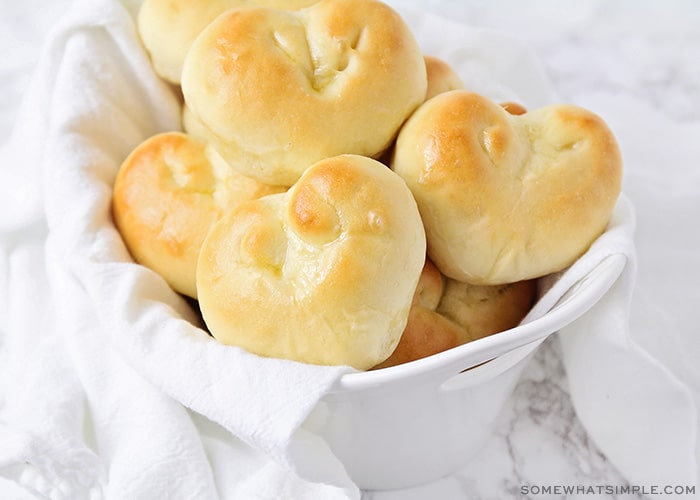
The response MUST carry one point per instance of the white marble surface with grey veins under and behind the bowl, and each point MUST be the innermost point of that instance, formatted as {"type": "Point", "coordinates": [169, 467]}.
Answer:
{"type": "Point", "coordinates": [598, 54]}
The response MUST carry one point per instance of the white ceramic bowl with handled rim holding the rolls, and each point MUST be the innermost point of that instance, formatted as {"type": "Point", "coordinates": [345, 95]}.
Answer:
{"type": "Point", "coordinates": [414, 423]}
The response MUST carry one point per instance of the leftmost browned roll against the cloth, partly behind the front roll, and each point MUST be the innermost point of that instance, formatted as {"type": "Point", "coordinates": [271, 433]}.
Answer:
{"type": "Point", "coordinates": [167, 194]}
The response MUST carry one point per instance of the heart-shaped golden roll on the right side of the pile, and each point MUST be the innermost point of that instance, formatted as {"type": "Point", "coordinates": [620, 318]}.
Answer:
{"type": "Point", "coordinates": [506, 197]}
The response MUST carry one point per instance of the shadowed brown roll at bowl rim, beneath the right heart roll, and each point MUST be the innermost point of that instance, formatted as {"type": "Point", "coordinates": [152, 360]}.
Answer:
{"type": "Point", "coordinates": [446, 313]}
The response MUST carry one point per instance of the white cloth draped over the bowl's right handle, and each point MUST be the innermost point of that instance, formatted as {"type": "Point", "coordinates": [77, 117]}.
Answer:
{"type": "Point", "coordinates": [637, 412]}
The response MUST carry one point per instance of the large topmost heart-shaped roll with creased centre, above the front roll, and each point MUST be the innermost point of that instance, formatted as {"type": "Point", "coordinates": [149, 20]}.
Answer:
{"type": "Point", "coordinates": [279, 90]}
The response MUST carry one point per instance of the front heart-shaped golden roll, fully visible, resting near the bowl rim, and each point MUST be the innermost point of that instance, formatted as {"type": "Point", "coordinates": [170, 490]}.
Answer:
{"type": "Point", "coordinates": [323, 274]}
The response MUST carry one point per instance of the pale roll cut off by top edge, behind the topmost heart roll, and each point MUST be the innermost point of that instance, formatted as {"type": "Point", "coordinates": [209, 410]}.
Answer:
{"type": "Point", "coordinates": [168, 27]}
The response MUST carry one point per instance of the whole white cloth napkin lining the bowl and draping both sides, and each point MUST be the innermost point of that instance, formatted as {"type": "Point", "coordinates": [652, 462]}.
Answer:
{"type": "Point", "coordinates": [108, 388]}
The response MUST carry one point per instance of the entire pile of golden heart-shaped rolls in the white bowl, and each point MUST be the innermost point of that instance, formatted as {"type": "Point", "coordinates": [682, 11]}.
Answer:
{"type": "Point", "coordinates": [336, 197]}
